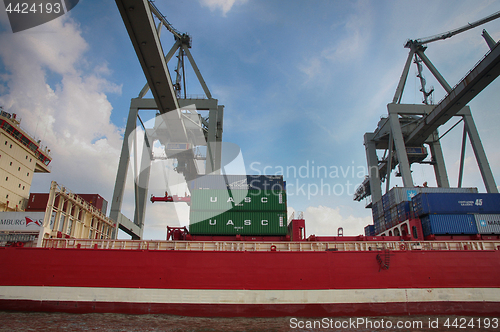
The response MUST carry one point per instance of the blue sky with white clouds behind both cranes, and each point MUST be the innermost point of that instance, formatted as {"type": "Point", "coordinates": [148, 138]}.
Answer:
{"type": "Point", "coordinates": [301, 82]}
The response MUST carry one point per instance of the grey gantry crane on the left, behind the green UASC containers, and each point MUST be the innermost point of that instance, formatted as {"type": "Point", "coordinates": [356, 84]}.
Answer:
{"type": "Point", "coordinates": [177, 126]}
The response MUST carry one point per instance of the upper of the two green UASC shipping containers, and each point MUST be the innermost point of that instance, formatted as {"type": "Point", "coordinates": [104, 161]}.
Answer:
{"type": "Point", "coordinates": [238, 200]}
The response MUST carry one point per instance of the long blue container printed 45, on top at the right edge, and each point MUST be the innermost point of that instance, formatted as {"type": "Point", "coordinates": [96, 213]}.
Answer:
{"type": "Point", "coordinates": [454, 203]}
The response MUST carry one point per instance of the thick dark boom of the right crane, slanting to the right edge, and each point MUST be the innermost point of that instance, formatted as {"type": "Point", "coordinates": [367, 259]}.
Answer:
{"type": "Point", "coordinates": [478, 78]}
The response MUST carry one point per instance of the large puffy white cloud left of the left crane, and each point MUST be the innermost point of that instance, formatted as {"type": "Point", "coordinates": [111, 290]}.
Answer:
{"type": "Point", "coordinates": [63, 103]}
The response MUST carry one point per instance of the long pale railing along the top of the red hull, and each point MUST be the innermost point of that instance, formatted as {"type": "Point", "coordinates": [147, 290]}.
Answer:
{"type": "Point", "coordinates": [270, 246]}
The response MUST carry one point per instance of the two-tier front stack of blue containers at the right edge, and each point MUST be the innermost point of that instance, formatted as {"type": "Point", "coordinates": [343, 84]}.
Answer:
{"type": "Point", "coordinates": [458, 213]}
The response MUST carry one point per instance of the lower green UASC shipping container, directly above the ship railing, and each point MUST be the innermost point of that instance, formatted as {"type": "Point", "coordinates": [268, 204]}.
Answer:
{"type": "Point", "coordinates": [232, 223]}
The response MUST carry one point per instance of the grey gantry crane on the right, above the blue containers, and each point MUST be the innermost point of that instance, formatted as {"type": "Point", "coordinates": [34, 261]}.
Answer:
{"type": "Point", "coordinates": [403, 133]}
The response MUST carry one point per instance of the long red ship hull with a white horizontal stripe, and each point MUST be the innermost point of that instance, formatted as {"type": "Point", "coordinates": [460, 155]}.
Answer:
{"type": "Point", "coordinates": [250, 283]}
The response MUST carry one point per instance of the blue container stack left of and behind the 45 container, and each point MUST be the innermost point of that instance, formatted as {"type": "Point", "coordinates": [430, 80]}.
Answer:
{"type": "Point", "coordinates": [395, 206]}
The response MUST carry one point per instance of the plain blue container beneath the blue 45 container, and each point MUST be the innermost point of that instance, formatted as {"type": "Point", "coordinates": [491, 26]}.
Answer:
{"type": "Point", "coordinates": [453, 224]}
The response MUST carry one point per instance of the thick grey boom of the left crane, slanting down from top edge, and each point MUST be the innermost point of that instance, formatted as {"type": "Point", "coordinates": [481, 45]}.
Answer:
{"type": "Point", "coordinates": [142, 31]}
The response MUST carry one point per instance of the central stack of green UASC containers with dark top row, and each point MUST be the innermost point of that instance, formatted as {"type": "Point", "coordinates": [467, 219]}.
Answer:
{"type": "Point", "coordinates": [238, 204]}
